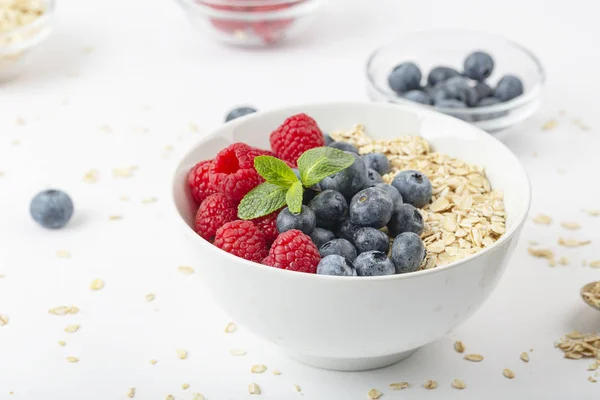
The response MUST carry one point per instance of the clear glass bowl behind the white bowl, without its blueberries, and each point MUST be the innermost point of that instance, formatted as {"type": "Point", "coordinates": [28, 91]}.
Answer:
{"type": "Point", "coordinates": [429, 49]}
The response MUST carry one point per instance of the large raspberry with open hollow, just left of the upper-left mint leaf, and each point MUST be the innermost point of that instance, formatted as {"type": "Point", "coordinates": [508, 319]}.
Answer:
{"type": "Point", "coordinates": [233, 170]}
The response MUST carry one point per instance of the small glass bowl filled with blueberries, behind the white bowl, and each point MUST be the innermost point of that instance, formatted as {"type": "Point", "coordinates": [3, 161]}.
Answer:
{"type": "Point", "coordinates": [481, 78]}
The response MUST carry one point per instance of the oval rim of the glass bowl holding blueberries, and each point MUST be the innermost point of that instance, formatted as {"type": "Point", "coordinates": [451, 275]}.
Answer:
{"type": "Point", "coordinates": [518, 101]}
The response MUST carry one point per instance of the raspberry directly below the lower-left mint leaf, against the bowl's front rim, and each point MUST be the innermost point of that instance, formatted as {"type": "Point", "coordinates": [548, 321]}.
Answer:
{"type": "Point", "coordinates": [242, 239]}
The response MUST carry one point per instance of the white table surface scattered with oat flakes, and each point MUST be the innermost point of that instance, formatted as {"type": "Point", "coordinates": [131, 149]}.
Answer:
{"type": "Point", "coordinates": [148, 76]}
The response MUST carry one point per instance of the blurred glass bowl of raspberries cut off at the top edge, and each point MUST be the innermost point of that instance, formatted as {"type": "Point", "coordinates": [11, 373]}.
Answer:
{"type": "Point", "coordinates": [251, 23]}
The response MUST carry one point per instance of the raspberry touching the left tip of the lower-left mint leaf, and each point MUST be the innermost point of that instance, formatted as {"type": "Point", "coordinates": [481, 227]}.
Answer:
{"type": "Point", "coordinates": [214, 211]}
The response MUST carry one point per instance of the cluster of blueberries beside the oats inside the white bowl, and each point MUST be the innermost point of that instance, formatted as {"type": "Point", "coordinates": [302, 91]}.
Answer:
{"type": "Point", "coordinates": [354, 215]}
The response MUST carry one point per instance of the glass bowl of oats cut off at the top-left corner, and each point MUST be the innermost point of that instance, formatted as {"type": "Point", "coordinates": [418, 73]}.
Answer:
{"type": "Point", "coordinates": [24, 25]}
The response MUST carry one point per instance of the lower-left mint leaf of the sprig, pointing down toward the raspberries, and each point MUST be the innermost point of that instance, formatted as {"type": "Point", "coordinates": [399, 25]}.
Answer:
{"type": "Point", "coordinates": [262, 200]}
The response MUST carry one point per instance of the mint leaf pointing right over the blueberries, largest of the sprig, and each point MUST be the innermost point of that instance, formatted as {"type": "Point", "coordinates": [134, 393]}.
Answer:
{"type": "Point", "coordinates": [321, 162]}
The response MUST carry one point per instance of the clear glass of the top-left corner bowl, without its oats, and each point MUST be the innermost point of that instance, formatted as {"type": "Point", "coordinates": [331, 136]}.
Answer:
{"type": "Point", "coordinates": [17, 43]}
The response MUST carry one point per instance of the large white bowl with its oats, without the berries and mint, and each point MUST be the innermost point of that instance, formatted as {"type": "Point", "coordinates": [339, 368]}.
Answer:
{"type": "Point", "coordinates": [480, 199]}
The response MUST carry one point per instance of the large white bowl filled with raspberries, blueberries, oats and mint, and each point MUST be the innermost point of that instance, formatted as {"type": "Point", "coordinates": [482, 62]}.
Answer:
{"type": "Point", "coordinates": [402, 216]}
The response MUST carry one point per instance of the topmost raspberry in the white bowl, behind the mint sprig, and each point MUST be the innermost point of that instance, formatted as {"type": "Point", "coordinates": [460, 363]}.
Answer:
{"type": "Point", "coordinates": [297, 134]}
